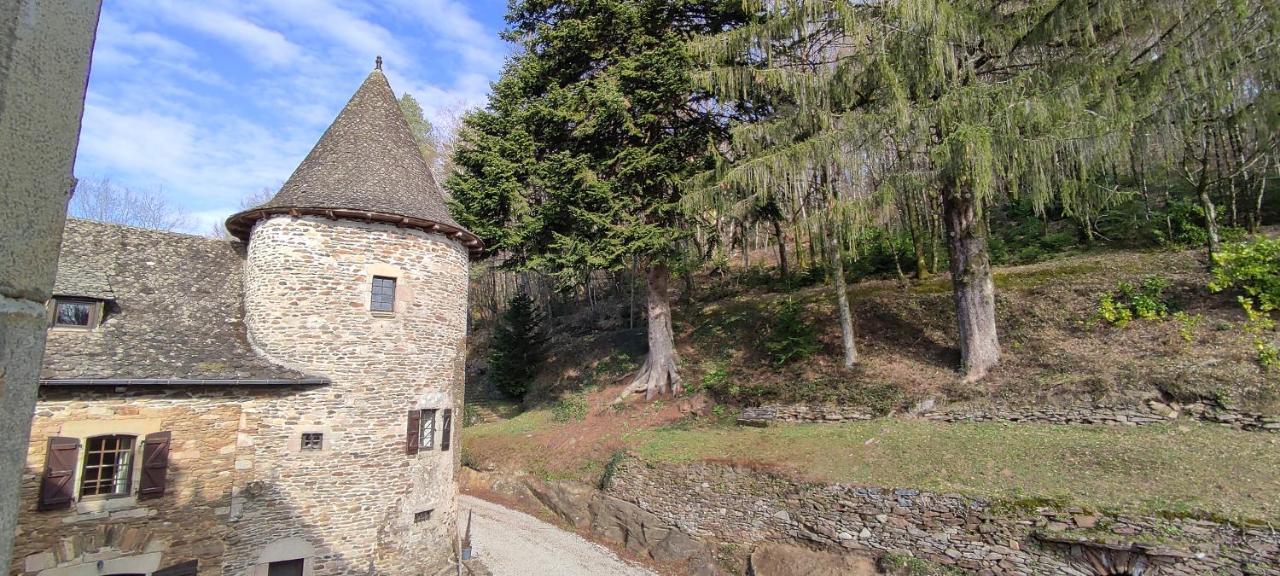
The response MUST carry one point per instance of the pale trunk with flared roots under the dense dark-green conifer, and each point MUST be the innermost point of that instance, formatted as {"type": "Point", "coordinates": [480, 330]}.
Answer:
{"type": "Point", "coordinates": [660, 373]}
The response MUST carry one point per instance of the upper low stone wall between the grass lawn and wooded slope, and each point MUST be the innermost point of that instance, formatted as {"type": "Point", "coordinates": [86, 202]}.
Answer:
{"type": "Point", "coordinates": [1149, 413]}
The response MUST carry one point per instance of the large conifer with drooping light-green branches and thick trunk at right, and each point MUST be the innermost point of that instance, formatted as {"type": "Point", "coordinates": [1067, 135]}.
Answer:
{"type": "Point", "coordinates": [975, 102]}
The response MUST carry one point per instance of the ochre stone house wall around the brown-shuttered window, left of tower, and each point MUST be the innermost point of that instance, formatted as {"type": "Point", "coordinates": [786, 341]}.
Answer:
{"type": "Point", "coordinates": [190, 522]}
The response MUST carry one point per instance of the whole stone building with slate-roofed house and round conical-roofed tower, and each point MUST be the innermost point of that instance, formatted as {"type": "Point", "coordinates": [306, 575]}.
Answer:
{"type": "Point", "coordinates": [284, 404]}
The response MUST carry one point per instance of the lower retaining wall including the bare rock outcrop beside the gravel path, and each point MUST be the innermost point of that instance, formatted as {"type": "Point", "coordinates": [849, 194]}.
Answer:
{"type": "Point", "coordinates": [676, 515]}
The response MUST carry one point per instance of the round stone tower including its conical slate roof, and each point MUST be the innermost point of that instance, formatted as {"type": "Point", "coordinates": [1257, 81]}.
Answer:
{"type": "Point", "coordinates": [356, 273]}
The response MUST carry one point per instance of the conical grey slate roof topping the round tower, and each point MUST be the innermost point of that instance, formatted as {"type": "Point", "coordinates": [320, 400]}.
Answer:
{"type": "Point", "coordinates": [367, 167]}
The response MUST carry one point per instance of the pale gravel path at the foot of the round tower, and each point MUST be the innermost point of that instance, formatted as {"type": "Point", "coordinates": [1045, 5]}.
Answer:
{"type": "Point", "coordinates": [516, 545]}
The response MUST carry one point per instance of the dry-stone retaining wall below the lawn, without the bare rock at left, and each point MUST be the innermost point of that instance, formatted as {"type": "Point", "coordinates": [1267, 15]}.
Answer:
{"type": "Point", "coordinates": [721, 504]}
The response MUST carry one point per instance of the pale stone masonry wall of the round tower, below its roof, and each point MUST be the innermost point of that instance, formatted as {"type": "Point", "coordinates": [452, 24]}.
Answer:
{"type": "Point", "coordinates": [308, 292]}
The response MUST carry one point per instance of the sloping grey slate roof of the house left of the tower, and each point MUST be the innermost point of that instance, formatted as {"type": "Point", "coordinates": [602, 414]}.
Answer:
{"type": "Point", "coordinates": [175, 312]}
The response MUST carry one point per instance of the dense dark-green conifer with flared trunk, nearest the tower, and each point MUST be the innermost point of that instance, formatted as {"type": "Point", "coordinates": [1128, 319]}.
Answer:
{"type": "Point", "coordinates": [577, 163]}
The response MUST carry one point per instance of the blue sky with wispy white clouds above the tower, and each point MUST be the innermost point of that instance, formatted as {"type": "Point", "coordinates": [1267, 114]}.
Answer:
{"type": "Point", "coordinates": [212, 100]}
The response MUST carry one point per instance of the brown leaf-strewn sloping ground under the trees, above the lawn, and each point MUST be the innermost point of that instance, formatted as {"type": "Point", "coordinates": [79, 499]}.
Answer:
{"type": "Point", "coordinates": [1055, 350]}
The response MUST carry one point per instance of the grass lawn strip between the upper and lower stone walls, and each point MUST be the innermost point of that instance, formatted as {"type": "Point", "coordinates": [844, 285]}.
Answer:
{"type": "Point", "coordinates": [1177, 469]}
